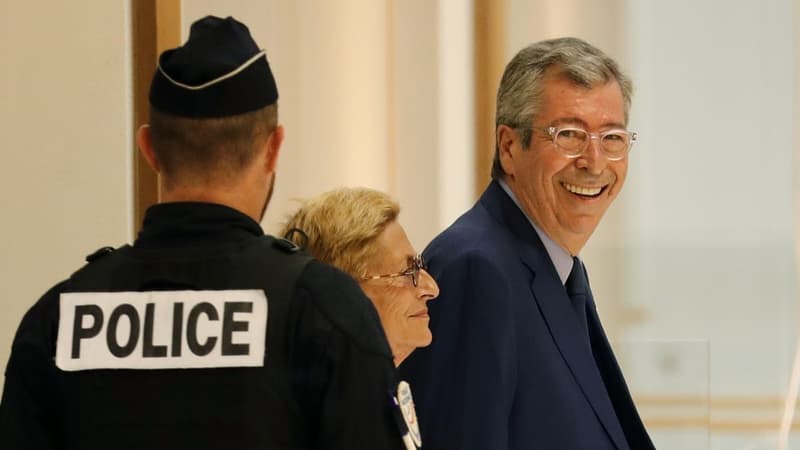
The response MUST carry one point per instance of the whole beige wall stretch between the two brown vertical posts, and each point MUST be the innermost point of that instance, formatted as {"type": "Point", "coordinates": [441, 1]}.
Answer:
{"type": "Point", "coordinates": [364, 102]}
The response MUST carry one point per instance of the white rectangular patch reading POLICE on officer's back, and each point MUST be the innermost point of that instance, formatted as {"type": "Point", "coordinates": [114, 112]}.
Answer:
{"type": "Point", "coordinates": [161, 330]}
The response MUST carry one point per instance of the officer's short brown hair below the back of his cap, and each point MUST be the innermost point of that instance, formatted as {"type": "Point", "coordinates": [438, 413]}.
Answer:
{"type": "Point", "coordinates": [206, 149]}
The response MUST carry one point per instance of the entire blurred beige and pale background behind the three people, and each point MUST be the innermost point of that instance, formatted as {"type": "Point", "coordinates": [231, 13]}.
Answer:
{"type": "Point", "coordinates": [694, 267]}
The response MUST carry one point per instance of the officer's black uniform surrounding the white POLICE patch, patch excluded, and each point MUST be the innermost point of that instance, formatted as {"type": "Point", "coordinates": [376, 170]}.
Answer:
{"type": "Point", "coordinates": [309, 393]}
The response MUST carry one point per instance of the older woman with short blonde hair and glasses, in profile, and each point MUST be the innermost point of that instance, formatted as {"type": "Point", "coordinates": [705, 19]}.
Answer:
{"type": "Point", "coordinates": [356, 230]}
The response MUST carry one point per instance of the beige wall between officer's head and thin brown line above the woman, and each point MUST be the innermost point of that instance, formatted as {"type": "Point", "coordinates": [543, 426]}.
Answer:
{"type": "Point", "coordinates": [336, 120]}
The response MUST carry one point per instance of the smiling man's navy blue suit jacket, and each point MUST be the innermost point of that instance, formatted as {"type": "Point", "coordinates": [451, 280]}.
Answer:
{"type": "Point", "coordinates": [509, 366]}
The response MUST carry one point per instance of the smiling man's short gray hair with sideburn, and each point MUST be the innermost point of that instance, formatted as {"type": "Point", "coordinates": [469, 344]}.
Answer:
{"type": "Point", "coordinates": [520, 93]}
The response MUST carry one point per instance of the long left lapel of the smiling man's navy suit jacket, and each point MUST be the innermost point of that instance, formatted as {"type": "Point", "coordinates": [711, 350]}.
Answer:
{"type": "Point", "coordinates": [556, 309]}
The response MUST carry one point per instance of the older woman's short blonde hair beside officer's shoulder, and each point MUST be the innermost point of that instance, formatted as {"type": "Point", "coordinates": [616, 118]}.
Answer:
{"type": "Point", "coordinates": [341, 227]}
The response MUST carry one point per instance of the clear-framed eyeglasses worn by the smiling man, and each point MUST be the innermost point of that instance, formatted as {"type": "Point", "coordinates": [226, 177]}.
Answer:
{"type": "Point", "coordinates": [572, 142]}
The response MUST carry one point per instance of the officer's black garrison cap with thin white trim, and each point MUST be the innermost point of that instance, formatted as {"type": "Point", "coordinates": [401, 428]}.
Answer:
{"type": "Point", "coordinates": [218, 72]}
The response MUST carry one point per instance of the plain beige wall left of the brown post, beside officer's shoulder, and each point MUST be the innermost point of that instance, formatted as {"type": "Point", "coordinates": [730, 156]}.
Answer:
{"type": "Point", "coordinates": [65, 115]}
